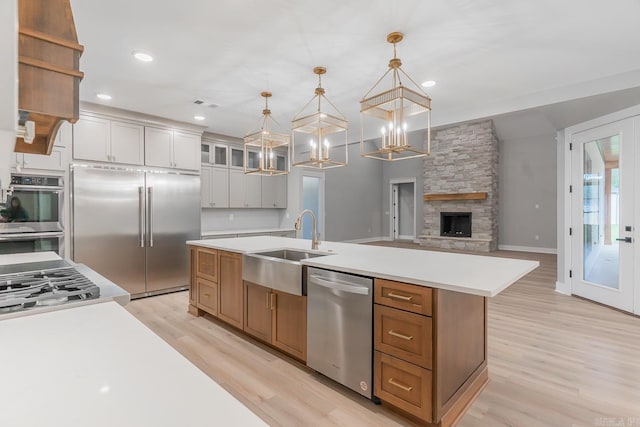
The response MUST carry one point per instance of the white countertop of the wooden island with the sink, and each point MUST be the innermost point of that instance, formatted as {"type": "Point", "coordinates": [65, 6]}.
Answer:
{"type": "Point", "coordinates": [471, 274]}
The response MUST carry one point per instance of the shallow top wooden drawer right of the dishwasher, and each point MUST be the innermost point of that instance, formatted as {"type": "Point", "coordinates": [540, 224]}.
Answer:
{"type": "Point", "coordinates": [414, 298]}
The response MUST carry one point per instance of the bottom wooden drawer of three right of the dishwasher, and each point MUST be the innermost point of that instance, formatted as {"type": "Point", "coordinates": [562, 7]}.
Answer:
{"type": "Point", "coordinates": [406, 386]}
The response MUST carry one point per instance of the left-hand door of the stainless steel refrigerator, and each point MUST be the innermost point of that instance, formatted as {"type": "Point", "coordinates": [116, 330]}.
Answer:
{"type": "Point", "coordinates": [108, 224]}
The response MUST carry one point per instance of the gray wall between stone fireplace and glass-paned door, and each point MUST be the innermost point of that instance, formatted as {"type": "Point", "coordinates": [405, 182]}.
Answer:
{"type": "Point", "coordinates": [527, 188]}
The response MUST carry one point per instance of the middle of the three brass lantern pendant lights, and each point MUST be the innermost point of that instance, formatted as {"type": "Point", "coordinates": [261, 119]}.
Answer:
{"type": "Point", "coordinates": [319, 132]}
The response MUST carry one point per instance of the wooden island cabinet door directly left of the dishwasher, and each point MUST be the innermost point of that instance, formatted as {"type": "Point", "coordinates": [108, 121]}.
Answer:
{"type": "Point", "coordinates": [289, 324]}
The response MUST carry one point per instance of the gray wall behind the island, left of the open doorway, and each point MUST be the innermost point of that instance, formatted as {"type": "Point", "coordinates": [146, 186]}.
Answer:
{"type": "Point", "coordinates": [353, 199]}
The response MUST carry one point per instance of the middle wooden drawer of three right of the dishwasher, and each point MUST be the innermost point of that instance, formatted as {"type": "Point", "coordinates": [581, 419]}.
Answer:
{"type": "Point", "coordinates": [407, 336]}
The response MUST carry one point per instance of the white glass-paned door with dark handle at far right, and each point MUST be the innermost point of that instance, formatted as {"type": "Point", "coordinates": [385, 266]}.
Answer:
{"type": "Point", "coordinates": [604, 193]}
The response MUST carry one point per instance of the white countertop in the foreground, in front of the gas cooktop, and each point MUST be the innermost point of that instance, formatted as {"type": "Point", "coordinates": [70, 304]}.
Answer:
{"type": "Point", "coordinates": [96, 366]}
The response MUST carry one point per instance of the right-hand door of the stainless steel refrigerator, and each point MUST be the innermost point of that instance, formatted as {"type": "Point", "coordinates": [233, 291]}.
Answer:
{"type": "Point", "coordinates": [173, 217]}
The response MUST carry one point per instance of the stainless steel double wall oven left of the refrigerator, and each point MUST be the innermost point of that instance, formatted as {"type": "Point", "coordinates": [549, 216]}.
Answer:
{"type": "Point", "coordinates": [31, 219]}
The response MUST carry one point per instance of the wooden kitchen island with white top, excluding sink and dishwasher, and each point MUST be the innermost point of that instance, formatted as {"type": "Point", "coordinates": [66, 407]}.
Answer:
{"type": "Point", "coordinates": [429, 314]}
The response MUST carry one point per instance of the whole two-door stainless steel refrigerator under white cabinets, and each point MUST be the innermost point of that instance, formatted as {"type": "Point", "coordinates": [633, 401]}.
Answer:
{"type": "Point", "coordinates": [131, 225]}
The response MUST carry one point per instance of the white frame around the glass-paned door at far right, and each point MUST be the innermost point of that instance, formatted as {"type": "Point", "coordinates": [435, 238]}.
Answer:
{"type": "Point", "coordinates": [566, 220]}
